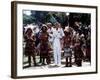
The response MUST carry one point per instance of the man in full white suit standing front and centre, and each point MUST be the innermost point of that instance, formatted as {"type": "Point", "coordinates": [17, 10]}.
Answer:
{"type": "Point", "coordinates": [57, 36]}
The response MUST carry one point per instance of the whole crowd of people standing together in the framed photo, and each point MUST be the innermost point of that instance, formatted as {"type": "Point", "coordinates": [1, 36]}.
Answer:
{"type": "Point", "coordinates": [51, 39]}
